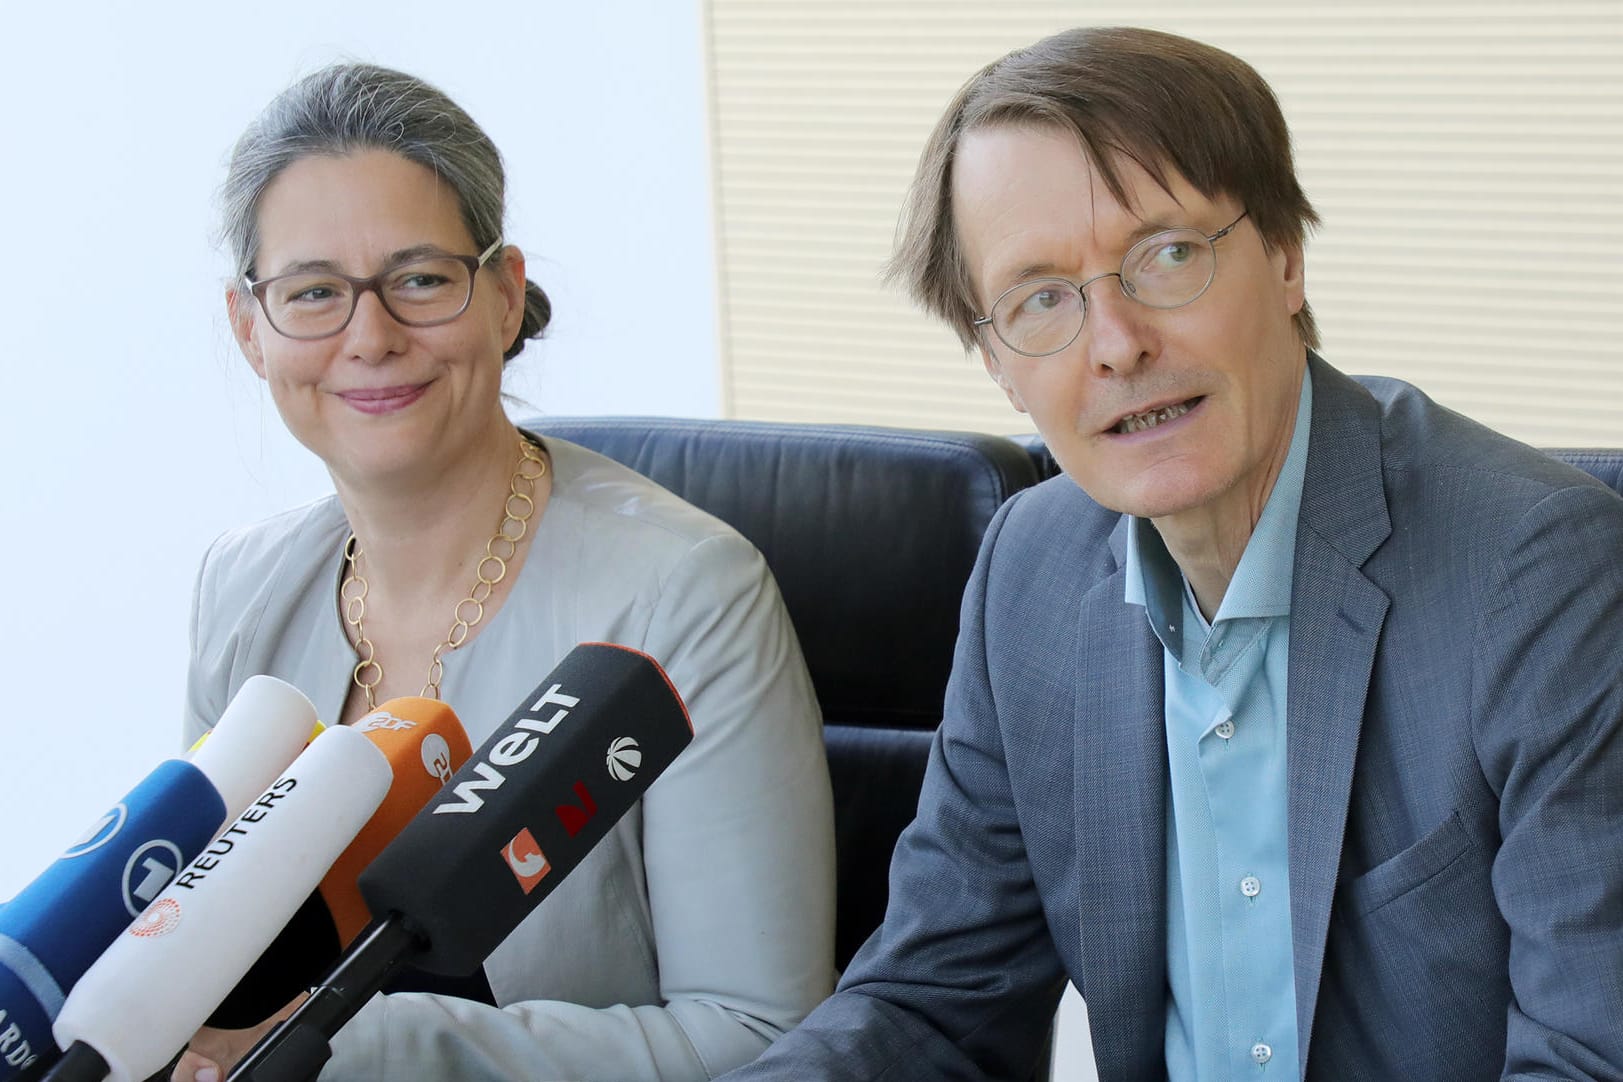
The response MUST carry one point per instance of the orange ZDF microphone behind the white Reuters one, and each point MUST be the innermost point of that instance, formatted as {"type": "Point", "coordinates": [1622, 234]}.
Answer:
{"type": "Point", "coordinates": [424, 745]}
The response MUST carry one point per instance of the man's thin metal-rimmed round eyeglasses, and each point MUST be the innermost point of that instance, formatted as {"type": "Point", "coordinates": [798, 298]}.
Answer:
{"type": "Point", "coordinates": [1168, 270]}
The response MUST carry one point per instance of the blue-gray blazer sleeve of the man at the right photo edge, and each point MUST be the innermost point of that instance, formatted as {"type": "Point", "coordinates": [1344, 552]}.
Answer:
{"type": "Point", "coordinates": [1548, 711]}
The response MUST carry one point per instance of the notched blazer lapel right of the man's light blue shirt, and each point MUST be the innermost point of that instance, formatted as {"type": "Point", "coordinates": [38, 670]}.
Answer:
{"type": "Point", "coordinates": [1337, 617]}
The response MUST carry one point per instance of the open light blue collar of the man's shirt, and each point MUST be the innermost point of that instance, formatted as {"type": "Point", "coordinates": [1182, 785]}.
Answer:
{"type": "Point", "coordinates": [1262, 583]}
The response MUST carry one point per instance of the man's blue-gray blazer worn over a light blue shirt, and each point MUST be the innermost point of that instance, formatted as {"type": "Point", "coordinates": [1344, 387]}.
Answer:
{"type": "Point", "coordinates": [1455, 783]}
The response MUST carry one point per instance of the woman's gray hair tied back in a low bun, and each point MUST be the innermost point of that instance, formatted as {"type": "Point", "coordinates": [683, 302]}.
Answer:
{"type": "Point", "coordinates": [351, 108]}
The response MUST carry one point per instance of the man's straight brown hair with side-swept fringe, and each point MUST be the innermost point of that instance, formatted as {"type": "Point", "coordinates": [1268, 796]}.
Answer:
{"type": "Point", "coordinates": [1156, 100]}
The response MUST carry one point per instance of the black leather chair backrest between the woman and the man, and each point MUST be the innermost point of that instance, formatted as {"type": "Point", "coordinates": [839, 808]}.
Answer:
{"type": "Point", "coordinates": [872, 535]}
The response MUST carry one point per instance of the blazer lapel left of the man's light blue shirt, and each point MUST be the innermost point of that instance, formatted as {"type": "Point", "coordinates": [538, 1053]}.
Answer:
{"type": "Point", "coordinates": [1121, 828]}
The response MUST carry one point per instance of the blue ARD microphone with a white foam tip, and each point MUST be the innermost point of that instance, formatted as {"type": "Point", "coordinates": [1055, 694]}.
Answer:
{"type": "Point", "coordinates": [56, 929]}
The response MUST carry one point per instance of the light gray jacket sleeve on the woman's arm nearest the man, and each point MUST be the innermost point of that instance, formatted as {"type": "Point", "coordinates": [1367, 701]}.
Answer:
{"type": "Point", "coordinates": [739, 867]}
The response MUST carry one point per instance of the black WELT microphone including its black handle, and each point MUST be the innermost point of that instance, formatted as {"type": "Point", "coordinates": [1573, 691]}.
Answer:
{"type": "Point", "coordinates": [535, 801]}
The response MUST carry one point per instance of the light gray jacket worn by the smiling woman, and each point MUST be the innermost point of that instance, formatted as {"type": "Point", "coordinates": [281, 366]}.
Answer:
{"type": "Point", "coordinates": [702, 929]}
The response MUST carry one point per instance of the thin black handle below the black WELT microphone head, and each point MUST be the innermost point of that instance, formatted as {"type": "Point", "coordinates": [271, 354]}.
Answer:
{"type": "Point", "coordinates": [299, 1046]}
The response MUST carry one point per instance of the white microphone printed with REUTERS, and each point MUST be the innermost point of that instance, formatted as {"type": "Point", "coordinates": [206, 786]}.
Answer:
{"type": "Point", "coordinates": [218, 916]}
